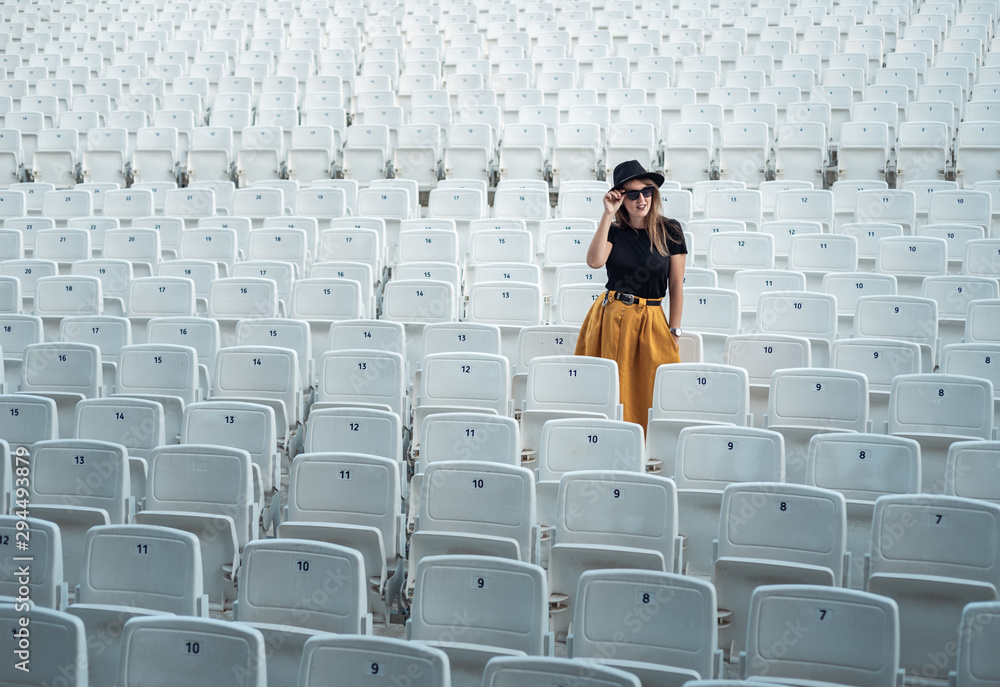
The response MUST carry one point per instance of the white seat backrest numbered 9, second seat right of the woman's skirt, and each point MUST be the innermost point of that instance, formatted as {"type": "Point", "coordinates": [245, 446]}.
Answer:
{"type": "Point", "coordinates": [817, 397]}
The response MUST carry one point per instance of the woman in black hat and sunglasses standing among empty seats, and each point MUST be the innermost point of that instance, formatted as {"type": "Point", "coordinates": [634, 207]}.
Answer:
{"type": "Point", "coordinates": [644, 253]}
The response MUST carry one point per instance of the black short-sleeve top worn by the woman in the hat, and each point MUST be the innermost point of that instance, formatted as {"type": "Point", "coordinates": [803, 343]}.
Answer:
{"type": "Point", "coordinates": [635, 267]}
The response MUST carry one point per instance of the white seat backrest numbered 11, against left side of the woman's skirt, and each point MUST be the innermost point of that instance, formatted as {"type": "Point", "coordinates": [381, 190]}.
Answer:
{"type": "Point", "coordinates": [573, 383]}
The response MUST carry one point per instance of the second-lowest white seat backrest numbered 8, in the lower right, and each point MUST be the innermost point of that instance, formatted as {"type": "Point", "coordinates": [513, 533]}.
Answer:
{"type": "Point", "coordinates": [810, 523]}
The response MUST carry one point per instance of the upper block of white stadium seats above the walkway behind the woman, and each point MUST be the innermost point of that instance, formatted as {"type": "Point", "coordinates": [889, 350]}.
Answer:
{"type": "Point", "coordinates": [310, 97]}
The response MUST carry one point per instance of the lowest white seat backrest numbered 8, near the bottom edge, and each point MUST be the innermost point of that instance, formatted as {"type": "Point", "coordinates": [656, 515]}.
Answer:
{"type": "Point", "coordinates": [658, 597]}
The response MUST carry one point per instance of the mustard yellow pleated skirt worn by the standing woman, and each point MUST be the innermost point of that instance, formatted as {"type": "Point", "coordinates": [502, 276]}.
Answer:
{"type": "Point", "coordinates": [638, 338]}
